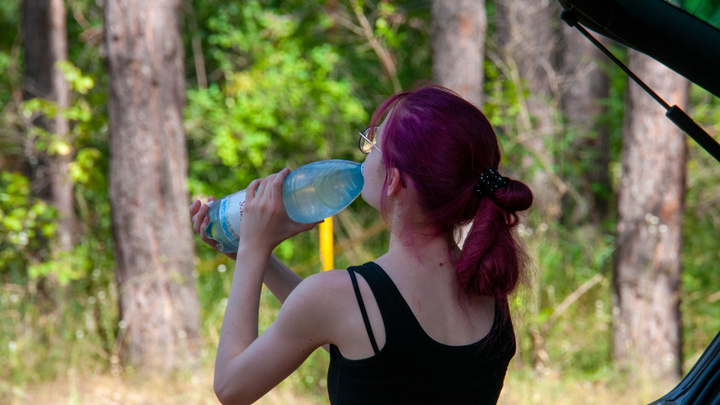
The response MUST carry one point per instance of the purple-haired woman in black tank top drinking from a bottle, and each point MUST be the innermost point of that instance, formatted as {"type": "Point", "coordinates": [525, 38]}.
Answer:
{"type": "Point", "coordinates": [430, 322]}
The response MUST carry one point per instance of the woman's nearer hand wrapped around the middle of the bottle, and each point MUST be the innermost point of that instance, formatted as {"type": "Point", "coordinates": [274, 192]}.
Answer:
{"type": "Point", "coordinates": [265, 222]}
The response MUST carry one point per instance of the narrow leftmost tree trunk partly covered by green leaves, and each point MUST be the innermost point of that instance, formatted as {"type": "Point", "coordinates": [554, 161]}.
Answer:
{"type": "Point", "coordinates": [45, 45]}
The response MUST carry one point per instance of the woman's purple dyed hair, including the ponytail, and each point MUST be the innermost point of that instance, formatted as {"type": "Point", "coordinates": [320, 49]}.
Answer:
{"type": "Point", "coordinates": [443, 143]}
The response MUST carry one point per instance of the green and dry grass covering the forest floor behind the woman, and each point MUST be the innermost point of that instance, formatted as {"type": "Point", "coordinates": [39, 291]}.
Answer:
{"type": "Point", "coordinates": [60, 338]}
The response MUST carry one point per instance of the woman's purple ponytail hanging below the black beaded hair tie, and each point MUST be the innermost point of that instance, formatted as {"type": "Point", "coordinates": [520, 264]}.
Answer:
{"type": "Point", "coordinates": [492, 262]}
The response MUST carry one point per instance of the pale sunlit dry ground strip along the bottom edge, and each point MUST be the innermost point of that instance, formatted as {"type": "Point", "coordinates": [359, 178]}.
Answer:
{"type": "Point", "coordinates": [521, 388]}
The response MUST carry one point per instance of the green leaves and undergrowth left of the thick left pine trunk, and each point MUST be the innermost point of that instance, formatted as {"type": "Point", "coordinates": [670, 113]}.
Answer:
{"type": "Point", "coordinates": [59, 308]}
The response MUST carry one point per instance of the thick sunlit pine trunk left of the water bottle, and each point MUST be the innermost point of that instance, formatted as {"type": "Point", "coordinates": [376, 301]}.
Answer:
{"type": "Point", "coordinates": [148, 174]}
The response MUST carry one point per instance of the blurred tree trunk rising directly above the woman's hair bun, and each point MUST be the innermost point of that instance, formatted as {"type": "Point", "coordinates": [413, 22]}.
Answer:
{"type": "Point", "coordinates": [527, 41]}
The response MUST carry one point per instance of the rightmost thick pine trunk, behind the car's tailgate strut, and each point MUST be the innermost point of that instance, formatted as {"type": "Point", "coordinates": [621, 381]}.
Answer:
{"type": "Point", "coordinates": [647, 323]}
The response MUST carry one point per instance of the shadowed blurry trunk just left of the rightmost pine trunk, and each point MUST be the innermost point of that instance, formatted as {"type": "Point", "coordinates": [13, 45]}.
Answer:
{"type": "Point", "coordinates": [584, 86]}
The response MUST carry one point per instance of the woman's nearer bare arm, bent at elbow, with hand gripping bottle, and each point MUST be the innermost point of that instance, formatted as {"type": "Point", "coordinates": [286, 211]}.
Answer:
{"type": "Point", "coordinates": [246, 366]}
